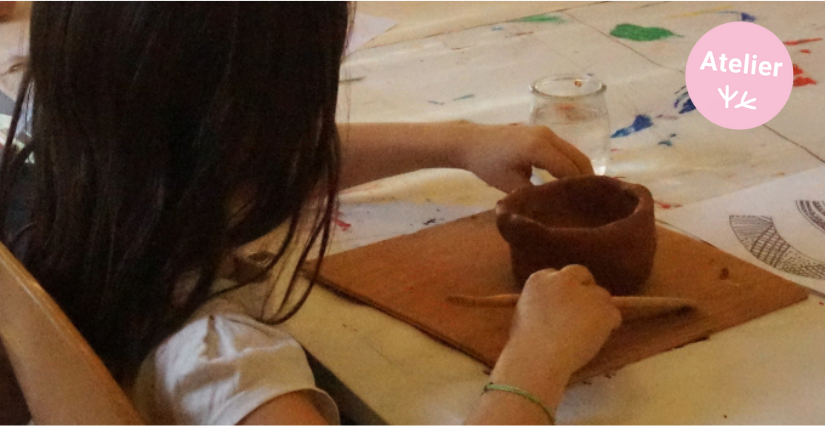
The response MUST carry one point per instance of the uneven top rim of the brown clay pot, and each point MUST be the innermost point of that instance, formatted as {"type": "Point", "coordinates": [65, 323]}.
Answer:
{"type": "Point", "coordinates": [642, 194]}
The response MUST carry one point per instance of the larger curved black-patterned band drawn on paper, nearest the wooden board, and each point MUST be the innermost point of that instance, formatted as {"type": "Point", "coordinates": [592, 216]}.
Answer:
{"type": "Point", "coordinates": [759, 235]}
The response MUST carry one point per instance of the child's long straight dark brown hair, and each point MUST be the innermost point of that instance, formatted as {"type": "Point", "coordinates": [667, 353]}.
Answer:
{"type": "Point", "coordinates": [163, 136]}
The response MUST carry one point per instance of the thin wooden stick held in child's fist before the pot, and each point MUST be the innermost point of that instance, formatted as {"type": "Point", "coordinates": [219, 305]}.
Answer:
{"type": "Point", "coordinates": [631, 307]}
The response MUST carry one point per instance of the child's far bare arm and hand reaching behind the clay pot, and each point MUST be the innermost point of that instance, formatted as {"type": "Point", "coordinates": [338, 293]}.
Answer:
{"type": "Point", "coordinates": [501, 155]}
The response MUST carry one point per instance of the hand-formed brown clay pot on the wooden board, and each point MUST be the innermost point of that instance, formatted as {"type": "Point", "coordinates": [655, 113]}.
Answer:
{"type": "Point", "coordinates": [600, 222]}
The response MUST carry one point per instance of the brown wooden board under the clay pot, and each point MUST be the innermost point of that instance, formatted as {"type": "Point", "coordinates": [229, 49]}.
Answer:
{"type": "Point", "coordinates": [409, 277]}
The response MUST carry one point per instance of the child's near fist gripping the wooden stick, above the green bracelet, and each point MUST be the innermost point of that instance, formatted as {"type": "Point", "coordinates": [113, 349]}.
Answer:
{"type": "Point", "coordinates": [562, 320]}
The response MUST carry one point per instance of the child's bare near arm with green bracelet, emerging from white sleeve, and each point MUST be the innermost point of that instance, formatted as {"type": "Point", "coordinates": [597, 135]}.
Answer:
{"type": "Point", "coordinates": [562, 320]}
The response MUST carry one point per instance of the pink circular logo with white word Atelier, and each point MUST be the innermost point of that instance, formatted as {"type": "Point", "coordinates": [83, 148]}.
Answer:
{"type": "Point", "coordinates": [739, 75]}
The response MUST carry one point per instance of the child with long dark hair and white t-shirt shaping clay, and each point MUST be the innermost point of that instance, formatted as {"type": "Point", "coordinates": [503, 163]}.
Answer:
{"type": "Point", "coordinates": [165, 136]}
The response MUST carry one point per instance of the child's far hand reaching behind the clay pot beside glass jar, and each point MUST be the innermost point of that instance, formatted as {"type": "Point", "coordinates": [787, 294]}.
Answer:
{"type": "Point", "coordinates": [504, 155]}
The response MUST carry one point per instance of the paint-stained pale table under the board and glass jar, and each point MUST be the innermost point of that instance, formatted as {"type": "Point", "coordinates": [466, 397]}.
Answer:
{"type": "Point", "coordinates": [764, 371]}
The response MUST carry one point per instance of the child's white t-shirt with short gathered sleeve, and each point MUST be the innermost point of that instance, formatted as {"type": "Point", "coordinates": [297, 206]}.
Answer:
{"type": "Point", "coordinates": [222, 365]}
